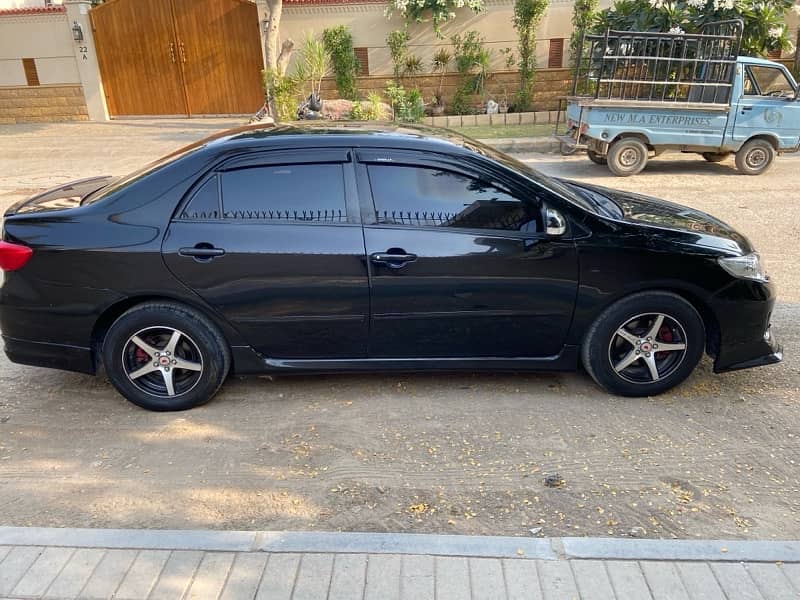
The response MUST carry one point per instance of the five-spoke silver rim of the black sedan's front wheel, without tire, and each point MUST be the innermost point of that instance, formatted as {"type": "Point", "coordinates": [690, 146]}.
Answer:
{"type": "Point", "coordinates": [647, 348]}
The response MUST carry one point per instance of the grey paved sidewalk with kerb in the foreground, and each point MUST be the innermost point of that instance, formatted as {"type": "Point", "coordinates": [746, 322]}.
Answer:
{"type": "Point", "coordinates": [135, 564]}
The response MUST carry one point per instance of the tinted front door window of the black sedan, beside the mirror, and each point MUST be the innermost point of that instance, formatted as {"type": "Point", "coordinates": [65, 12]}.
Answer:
{"type": "Point", "coordinates": [425, 197]}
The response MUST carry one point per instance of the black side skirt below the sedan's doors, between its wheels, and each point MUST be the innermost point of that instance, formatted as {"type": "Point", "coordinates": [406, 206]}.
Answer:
{"type": "Point", "coordinates": [248, 361]}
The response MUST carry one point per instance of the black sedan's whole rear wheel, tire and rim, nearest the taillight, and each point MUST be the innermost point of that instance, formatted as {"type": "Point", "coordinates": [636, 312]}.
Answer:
{"type": "Point", "coordinates": [175, 346]}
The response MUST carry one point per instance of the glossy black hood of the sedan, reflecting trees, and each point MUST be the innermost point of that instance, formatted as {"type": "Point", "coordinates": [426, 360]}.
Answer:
{"type": "Point", "coordinates": [645, 210]}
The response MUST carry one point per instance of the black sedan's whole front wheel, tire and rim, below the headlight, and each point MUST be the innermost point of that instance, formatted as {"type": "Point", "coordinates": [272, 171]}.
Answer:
{"type": "Point", "coordinates": [617, 362]}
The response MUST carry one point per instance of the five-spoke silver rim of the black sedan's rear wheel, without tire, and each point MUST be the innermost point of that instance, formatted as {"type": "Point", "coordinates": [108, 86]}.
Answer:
{"type": "Point", "coordinates": [162, 361]}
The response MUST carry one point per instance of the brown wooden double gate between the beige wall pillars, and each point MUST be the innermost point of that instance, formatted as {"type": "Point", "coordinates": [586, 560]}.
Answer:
{"type": "Point", "coordinates": [179, 57]}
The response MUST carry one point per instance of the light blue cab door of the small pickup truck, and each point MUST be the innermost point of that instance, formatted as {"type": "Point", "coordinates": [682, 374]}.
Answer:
{"type": "Point", "coordinates": [767, 106]}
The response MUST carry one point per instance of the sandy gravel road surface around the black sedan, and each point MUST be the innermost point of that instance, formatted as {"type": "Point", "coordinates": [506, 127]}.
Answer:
{"type": "Point", "coordinates": [465, 453]}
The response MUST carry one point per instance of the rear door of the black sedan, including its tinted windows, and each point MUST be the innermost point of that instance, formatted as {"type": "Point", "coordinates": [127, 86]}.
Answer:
{"type": "Point", "coordinates": [273, 242]}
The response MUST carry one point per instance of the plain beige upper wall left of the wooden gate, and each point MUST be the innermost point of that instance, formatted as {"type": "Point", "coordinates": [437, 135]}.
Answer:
{"type": "Point", "coordinates": [44, 37]}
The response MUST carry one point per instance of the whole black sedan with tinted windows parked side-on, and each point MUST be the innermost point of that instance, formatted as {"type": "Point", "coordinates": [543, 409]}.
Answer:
{"type": "Point", "coordinates": [361, 248]}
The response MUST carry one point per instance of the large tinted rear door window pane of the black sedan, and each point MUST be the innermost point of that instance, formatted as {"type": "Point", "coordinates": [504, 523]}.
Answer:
{"type": "Point", "coordinates": [305, 192]}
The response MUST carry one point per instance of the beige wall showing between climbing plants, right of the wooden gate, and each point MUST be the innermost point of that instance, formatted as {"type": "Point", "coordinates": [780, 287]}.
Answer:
{"type": "Point", "coordinates": [370, 26]}
